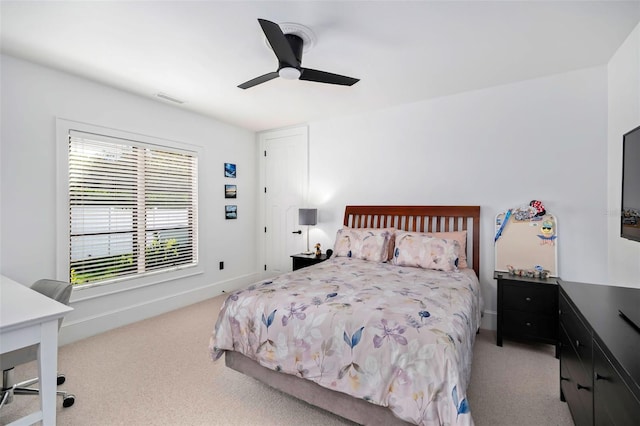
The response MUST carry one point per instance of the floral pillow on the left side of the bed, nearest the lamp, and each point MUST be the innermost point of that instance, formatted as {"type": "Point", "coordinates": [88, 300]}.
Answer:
{"type": "Point", "coordinates": [364, 243]}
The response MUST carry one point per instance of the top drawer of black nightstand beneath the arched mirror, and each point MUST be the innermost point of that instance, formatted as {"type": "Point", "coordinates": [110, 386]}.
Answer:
{"type": "Point", "coordinates": [530, 298]}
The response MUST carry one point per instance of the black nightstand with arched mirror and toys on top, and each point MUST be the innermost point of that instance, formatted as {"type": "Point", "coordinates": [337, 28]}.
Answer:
{"type": "Point", "coordinates": [527, 309]}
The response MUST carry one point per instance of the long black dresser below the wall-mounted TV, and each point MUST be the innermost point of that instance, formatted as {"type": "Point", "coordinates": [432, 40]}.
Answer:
{"type": "Point", "coordinates": [599, 354]}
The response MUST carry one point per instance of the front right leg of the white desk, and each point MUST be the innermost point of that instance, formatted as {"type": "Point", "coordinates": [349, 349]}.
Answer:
{"type": "Point", "coordinates": [48, 370]}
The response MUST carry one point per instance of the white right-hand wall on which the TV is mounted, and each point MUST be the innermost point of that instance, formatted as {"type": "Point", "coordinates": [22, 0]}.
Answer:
{"type": "Point", "coordinates": [624, 115]}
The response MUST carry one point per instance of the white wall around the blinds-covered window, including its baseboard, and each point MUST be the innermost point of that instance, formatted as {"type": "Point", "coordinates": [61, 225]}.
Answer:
{"type": "Point", "coordinates": [32, 98]}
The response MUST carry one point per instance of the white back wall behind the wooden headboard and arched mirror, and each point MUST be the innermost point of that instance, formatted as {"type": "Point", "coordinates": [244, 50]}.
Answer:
{"type": "Point", "coordinates": [498, 148]}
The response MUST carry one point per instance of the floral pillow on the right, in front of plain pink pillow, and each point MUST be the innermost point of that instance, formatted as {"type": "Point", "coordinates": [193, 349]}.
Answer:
{"type": "Point", "coordinates": [424, 251]}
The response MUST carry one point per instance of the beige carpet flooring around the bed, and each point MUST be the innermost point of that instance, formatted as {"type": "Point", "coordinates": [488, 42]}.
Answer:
{"type": "Point", "coordinates": [157, 372]}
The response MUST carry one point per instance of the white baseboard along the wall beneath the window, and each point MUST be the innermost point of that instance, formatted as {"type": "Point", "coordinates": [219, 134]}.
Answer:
{"type": "Point", "coordinates": [82, 328]}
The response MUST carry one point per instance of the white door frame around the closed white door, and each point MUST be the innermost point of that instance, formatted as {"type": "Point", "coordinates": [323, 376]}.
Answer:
{"type": "Point", "coordinates": [262, 137]}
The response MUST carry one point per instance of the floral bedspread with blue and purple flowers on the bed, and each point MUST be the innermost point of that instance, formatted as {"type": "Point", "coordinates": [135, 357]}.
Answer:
{"type": "Point", "coordinates": [400, 337]}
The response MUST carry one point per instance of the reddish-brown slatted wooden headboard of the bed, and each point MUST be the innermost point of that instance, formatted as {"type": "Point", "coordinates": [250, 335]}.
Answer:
{"type": "Point", "coordinates": [422, 219]}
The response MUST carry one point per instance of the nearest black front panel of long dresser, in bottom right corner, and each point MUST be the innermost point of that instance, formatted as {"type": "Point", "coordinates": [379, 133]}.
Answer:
{"type": "Point", "coordinates": [615, 404]}
